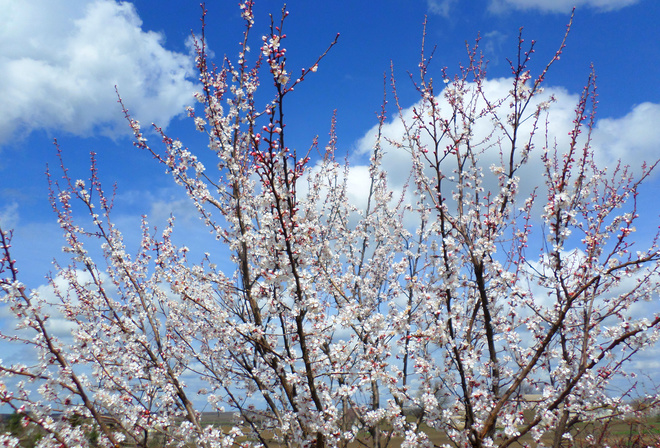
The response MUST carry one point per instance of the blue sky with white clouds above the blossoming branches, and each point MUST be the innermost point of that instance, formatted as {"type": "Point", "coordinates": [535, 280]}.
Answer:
{"type": "Point", "coordinates": [60, 60]}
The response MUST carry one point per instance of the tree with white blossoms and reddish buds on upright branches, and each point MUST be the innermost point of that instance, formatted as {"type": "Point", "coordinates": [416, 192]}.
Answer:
{"type": "Point", "coordinates": [421, 313]}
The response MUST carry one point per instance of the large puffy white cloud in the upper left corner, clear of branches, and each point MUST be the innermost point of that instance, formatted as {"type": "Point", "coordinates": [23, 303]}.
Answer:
{"type": "Point", "coordinates": [62, 58]}
